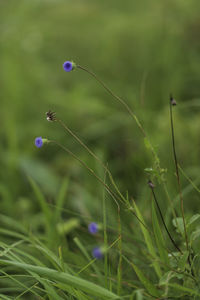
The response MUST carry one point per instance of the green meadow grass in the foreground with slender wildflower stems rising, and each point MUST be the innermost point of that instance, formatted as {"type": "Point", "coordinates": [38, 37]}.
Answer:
{"type": "Point", "coordinates": [168, 273]}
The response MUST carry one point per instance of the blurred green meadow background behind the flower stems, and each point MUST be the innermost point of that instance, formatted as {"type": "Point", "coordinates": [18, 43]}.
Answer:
{"type": "Point", "coordinates": [143, 50]}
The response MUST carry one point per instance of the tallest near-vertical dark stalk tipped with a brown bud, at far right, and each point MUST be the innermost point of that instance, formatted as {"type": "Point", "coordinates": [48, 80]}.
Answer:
{"type": "Point", "coordinates": [172, 103]}
